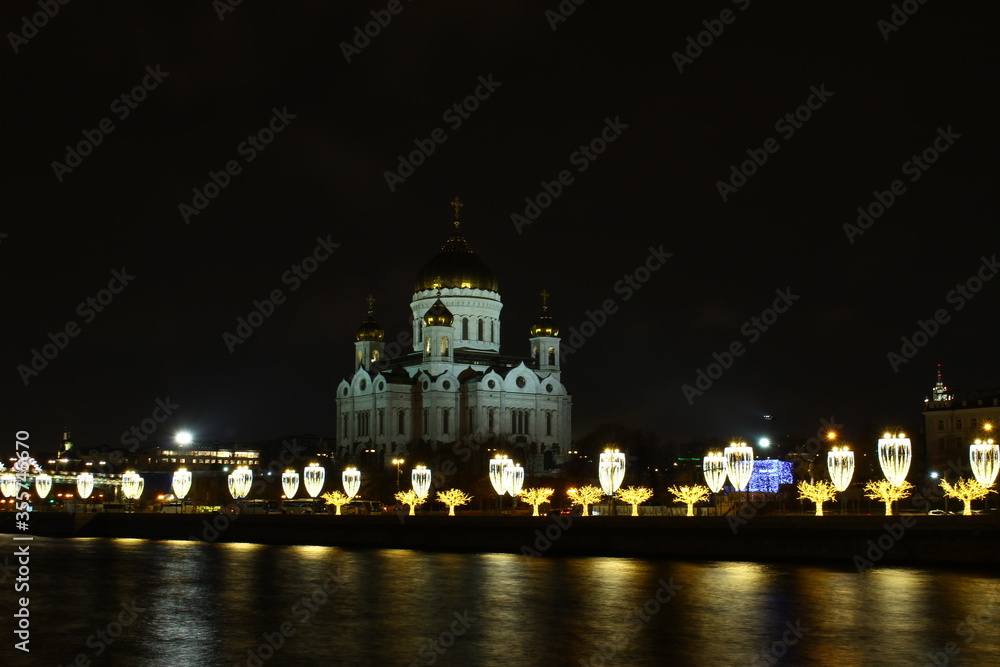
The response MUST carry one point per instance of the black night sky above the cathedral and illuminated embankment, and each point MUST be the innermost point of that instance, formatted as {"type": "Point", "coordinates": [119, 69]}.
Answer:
{"type": "Point", "coordinates": [656, 185]}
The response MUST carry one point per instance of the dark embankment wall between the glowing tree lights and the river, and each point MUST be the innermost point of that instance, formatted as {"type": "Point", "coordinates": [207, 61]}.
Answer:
{"type": "Point", "coordinates": [855, 540]}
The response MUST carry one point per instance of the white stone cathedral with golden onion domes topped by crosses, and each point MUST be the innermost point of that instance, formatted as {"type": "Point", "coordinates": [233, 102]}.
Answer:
{"type": "Point", "coordinates": [455, 386]}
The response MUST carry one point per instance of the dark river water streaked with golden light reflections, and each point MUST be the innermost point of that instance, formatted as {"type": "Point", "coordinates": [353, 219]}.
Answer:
{"type": "Point", "coordinates": [211, 604]}
